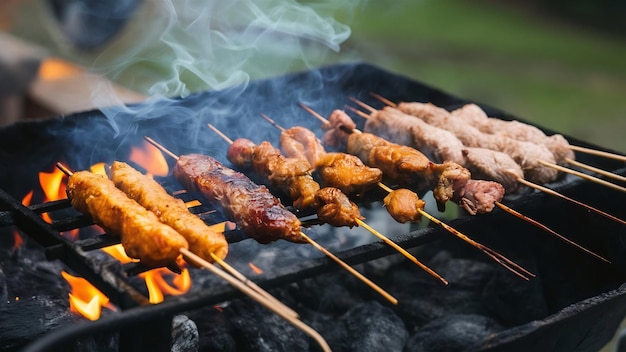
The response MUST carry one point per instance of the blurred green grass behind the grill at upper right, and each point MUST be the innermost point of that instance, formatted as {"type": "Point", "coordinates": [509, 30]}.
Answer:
{"type": "Point", "coordinates": [562, 76]}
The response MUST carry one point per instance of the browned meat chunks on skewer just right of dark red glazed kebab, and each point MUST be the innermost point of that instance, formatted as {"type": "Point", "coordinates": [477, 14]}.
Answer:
{"type": "Point", "coordinates": [293, 177]}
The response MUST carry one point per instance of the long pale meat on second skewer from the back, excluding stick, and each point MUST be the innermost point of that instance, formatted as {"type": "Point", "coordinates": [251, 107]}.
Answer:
{"type": "Point", "coordinates": [527, 155]}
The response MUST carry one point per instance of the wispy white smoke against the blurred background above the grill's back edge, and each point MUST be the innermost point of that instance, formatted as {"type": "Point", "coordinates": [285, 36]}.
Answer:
{"type": "Point", "coordinates": [172, 48]}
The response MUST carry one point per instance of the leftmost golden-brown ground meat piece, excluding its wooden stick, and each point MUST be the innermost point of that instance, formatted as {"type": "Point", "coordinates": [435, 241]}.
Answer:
{"type": "Point", "coordinates": [142, 234]}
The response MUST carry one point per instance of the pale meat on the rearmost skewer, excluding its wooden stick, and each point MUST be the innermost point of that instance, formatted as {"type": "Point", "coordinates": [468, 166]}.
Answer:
{"type": "Point", "coordinates": [557, 144]}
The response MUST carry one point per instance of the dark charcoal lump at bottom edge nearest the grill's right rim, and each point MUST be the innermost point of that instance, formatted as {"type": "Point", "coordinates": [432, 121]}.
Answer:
{"type": "Point", "coordinates": [452, 333]}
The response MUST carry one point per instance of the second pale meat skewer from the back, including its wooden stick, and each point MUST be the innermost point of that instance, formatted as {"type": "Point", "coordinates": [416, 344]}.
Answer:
{"type": "Point", "coordinates": [532, 152]}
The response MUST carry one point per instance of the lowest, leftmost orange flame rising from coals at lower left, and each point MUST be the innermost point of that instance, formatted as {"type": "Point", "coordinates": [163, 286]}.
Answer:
{"type": "Point", "coordinates": [85, 299]}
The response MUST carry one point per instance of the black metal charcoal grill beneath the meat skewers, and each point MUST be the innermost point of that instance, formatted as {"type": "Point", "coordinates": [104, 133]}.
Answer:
{"type": "Point", "coordinates": [585, 296]}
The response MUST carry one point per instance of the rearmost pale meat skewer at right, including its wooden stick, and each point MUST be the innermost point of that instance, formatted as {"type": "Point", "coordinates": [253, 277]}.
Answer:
{"type": "Point", "coordinates": [473, 114]}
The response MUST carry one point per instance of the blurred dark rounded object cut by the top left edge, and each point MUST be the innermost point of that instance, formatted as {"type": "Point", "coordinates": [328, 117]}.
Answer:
{"type": "Point", "coordinates": [89, 24]}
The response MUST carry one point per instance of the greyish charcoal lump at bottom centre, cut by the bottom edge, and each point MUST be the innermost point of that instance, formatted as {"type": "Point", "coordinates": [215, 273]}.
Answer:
{"type": "Point", "coordinates": [366, 327]}
